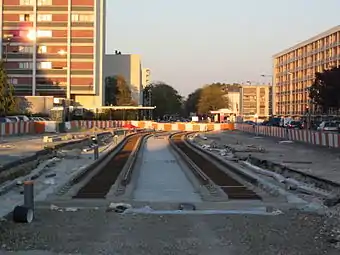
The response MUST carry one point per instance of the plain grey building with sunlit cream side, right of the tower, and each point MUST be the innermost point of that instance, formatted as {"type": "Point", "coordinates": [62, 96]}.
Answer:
{"type": "Point", "coordinates": [128, 66]}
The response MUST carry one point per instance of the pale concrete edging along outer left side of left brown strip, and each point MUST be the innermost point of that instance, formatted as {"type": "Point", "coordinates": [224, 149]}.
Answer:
{"type": "Point", "coordinates": [90, 170]}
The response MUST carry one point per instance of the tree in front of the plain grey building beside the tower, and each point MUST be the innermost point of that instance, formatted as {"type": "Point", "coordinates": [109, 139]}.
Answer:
{"type": "Point", "coordinates": [117, 91]}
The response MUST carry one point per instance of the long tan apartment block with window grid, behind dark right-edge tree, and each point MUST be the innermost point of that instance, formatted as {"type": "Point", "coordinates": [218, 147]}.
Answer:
{"type": "Point", "coordinates": [294, 70]}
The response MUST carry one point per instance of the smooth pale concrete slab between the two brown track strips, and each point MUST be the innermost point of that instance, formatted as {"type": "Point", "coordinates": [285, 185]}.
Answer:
{"type": "Point", "coordinates": [161, 177]}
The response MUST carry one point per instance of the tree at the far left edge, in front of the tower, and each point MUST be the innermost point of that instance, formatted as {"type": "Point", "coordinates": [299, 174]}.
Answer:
{"type": "Point", "coordinates": [7, 99]}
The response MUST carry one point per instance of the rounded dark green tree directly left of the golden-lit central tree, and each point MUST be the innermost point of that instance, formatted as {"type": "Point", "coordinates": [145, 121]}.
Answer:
{"type": "Point", "coordinates": [166, 99]}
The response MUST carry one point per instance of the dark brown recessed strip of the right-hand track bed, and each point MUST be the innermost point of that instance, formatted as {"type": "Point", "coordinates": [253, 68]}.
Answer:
{"type": "Point", "coordinates": [233, 188]}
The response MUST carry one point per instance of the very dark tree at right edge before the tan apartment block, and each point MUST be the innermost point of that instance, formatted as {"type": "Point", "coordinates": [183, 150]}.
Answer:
{"type": "Point", "coordinates": [325, 91]}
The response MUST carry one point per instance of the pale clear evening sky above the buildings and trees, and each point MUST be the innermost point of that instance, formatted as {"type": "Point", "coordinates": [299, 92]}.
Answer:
{"type": "Point", "coordinates": [190, 43]}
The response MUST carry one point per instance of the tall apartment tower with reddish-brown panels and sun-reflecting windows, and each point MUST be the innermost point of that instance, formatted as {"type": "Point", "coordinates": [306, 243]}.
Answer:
{"type": "Point", "coordinates": [55, 48]}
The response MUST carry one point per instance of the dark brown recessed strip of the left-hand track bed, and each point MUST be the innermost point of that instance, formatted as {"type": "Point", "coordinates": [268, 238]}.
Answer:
{"type": "Point", "coordinates": [100, 184]}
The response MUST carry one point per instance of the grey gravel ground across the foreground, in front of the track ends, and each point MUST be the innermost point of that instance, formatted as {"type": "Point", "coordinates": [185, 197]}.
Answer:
{"type": "Point", "coordinates": [99, 232]}
